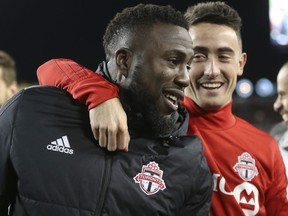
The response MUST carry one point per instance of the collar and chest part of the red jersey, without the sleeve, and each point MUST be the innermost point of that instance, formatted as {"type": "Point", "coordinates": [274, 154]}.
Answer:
{"type": "Point", "coordinates": [248, 170]}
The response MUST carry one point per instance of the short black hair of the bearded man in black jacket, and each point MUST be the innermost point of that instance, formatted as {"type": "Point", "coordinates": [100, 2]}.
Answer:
{"type": "Point", "coordinates": [137, 17]}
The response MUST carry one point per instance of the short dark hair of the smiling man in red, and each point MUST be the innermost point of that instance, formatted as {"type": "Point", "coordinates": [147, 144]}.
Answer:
{"type": "Point", "coordinates": [216, 13]}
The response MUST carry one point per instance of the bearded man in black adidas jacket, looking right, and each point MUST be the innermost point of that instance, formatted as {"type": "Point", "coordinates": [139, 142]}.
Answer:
{"type": "Point", "coordinates": [50, 163]}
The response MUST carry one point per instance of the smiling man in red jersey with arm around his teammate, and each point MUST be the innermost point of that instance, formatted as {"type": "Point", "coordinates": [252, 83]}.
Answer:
{"type": "Point", "coordinates": [248, 170]}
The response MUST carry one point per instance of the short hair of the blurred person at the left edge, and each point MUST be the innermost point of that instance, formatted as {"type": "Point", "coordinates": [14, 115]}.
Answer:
{"type": "Point", "coordinates": [8, 66]}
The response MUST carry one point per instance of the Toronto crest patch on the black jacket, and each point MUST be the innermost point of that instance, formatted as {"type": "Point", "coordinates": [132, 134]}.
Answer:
{"type": "Point", "coordinates": [150, 179]}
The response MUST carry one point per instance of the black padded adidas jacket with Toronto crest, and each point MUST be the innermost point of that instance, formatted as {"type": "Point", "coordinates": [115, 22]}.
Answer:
{"type": "Point", "coordinates": [50, 165]}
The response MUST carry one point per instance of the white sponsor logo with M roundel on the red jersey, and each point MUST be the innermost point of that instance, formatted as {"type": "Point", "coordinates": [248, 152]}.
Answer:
{"type": "Point", "coordinates": [246, 194]}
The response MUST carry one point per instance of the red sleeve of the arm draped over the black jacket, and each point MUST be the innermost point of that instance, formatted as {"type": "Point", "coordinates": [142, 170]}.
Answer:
{"type": "Point", "coordinates": [83, 84]}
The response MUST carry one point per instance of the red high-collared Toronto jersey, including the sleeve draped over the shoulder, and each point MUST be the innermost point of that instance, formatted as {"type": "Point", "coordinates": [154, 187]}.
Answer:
{"type": "Point", "coordinates": [248, 170]}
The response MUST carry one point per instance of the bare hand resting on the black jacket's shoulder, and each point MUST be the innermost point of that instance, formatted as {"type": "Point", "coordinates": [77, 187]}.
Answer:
{"type": "Point", "coordinates": [109, 125]}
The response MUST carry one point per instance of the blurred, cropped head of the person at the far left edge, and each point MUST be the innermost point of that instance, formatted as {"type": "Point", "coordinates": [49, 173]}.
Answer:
{"type": "Point", "coordinates": [8, 77]}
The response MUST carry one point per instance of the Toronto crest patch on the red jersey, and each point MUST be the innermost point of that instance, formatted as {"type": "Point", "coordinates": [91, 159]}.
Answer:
{"type": "Point", "coordinates": [246, 167]}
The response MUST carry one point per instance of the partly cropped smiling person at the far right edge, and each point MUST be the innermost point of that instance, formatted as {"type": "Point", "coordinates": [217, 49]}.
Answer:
{"type": "Point", "coordinates": [280, 130]}
